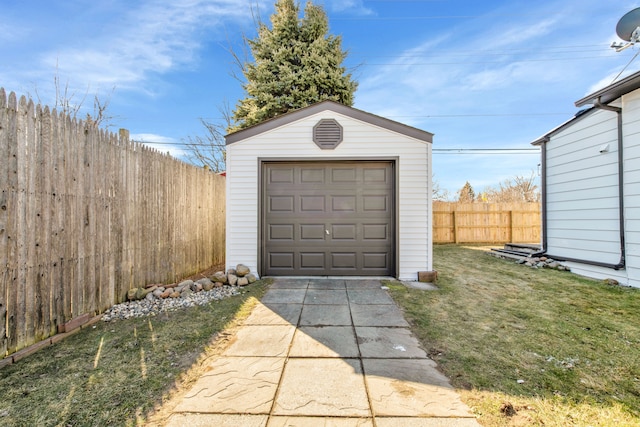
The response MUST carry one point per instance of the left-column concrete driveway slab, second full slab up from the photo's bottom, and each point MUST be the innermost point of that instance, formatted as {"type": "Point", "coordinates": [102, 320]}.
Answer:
{"type": "Point", "coordinates": [261, 341]}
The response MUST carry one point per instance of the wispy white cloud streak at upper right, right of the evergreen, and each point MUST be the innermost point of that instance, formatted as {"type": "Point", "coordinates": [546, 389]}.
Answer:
{"type": "Point", "coordinates": [482, 63]}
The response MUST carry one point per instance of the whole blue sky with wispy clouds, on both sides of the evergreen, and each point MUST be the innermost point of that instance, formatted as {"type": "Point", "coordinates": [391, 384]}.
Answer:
{"type": "Point", "coordinates": [488, 74]}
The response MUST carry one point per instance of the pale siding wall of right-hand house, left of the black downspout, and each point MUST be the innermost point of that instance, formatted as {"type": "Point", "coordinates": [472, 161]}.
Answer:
{"type": "Point", "coordinates": [582, 190]}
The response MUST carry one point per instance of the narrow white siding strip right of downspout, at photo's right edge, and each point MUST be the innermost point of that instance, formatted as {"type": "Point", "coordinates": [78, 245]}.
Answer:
{"type": "Point", "coordinates": [631, 135]}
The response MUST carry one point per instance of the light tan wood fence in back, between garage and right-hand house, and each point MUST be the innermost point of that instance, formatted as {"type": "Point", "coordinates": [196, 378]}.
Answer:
{"type": "Point", "coordinates": [486, 222]}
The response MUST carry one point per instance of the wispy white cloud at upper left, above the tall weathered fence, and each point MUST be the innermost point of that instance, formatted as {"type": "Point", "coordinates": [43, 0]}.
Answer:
{"type": "Point", "coordinates": [140, 41]}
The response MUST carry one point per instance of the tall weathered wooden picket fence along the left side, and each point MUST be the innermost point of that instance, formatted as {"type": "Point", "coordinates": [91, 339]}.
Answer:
{"type": "Point", "coordinates": [86, 214]}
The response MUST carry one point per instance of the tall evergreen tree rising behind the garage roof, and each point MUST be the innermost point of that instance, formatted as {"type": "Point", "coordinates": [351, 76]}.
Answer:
{"type": "Point", "coordinates": [296, 64]}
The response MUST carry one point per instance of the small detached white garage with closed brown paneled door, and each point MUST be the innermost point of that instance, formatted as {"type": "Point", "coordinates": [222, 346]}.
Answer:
{"type": "Point", "coordinates": [329, 190]}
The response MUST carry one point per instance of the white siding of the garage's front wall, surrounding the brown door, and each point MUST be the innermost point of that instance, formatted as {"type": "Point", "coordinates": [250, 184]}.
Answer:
{"type": "Point", "coordinates": [361, 140]}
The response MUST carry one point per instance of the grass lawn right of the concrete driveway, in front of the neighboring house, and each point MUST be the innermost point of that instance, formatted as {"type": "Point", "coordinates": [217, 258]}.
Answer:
{"type": "Point", "coordinates": [530, 347]}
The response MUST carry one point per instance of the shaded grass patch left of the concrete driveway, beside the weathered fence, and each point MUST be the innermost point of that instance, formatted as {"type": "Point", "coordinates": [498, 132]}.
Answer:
{"type": "Point", "coordinates": [117, 373]}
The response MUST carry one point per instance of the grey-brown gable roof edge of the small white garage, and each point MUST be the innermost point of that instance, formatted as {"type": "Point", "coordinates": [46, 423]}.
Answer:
{"type": "Point", "coordinates": [336, 108]}
